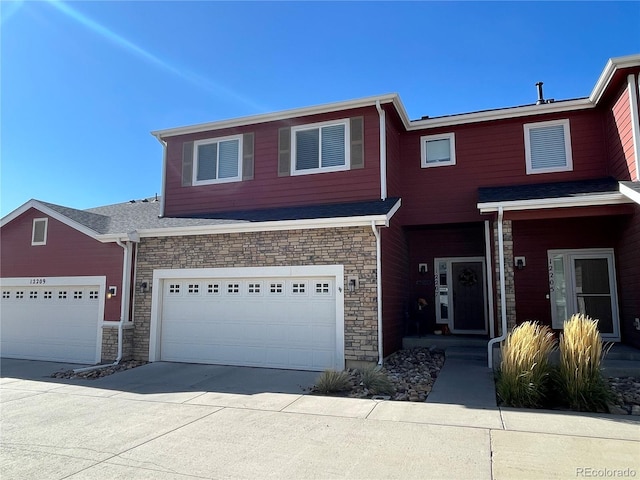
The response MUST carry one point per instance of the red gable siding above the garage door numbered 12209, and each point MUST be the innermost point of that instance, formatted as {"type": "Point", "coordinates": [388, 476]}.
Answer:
{"type": "Point", "coordinates": [68, 253]}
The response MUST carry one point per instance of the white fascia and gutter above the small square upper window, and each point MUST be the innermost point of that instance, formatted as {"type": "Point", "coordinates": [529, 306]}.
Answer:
{"type": "Point", "coordinates": [502, 114]}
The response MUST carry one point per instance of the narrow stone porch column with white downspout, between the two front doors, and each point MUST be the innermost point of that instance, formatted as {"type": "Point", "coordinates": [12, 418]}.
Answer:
{"type": "Point", "coordinates": [510, 291]}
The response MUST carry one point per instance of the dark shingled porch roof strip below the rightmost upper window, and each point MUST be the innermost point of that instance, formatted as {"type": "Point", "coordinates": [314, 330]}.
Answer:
{"type": "Point", "coordinates": [539, 191]}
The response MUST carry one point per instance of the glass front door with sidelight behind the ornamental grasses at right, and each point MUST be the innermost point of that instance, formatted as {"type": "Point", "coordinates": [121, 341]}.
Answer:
{"type": "Point", "coordinates": [583, 281]}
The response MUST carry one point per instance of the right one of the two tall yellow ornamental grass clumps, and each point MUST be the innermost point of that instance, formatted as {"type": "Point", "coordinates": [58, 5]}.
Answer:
{"type": "Point", "coordinates": [580, 378]}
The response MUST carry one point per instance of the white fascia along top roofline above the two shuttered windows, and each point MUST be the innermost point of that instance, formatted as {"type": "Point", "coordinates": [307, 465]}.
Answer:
{"type": "Point", "coordinates": [276, 116]}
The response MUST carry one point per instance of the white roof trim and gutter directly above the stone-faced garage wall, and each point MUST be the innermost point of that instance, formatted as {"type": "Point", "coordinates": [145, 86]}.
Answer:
{"type": "Point", "coordinates": [271, 226]}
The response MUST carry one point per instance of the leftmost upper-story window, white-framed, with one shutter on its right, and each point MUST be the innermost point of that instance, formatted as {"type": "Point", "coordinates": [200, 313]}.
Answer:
{"type": "Point", "coordinates": [217, 160]}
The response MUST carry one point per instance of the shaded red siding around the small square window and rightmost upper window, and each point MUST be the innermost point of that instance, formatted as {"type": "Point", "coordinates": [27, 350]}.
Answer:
{"type": "Point", "coordinates": [488, 154]}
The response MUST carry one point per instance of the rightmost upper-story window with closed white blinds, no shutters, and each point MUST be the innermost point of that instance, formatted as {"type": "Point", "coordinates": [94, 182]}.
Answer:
{"type": "Point", "coordinates": [548, 147]}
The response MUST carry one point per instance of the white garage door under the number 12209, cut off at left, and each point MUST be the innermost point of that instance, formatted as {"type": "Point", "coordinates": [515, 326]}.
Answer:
{"type": "Point", "coordinates": [51, 322]}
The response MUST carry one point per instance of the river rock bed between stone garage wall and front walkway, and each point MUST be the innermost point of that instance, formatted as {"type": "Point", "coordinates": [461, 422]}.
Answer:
{"type": "Point", "coordinates": [412, 373]}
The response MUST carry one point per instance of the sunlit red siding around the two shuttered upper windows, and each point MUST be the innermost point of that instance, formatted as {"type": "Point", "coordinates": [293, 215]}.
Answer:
{"type": "Point", "coordinates": [267, 189]}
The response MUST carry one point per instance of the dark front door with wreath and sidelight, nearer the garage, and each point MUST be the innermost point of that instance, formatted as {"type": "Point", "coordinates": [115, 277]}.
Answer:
{"type": "Point", "coordinates": [461, 294]}
